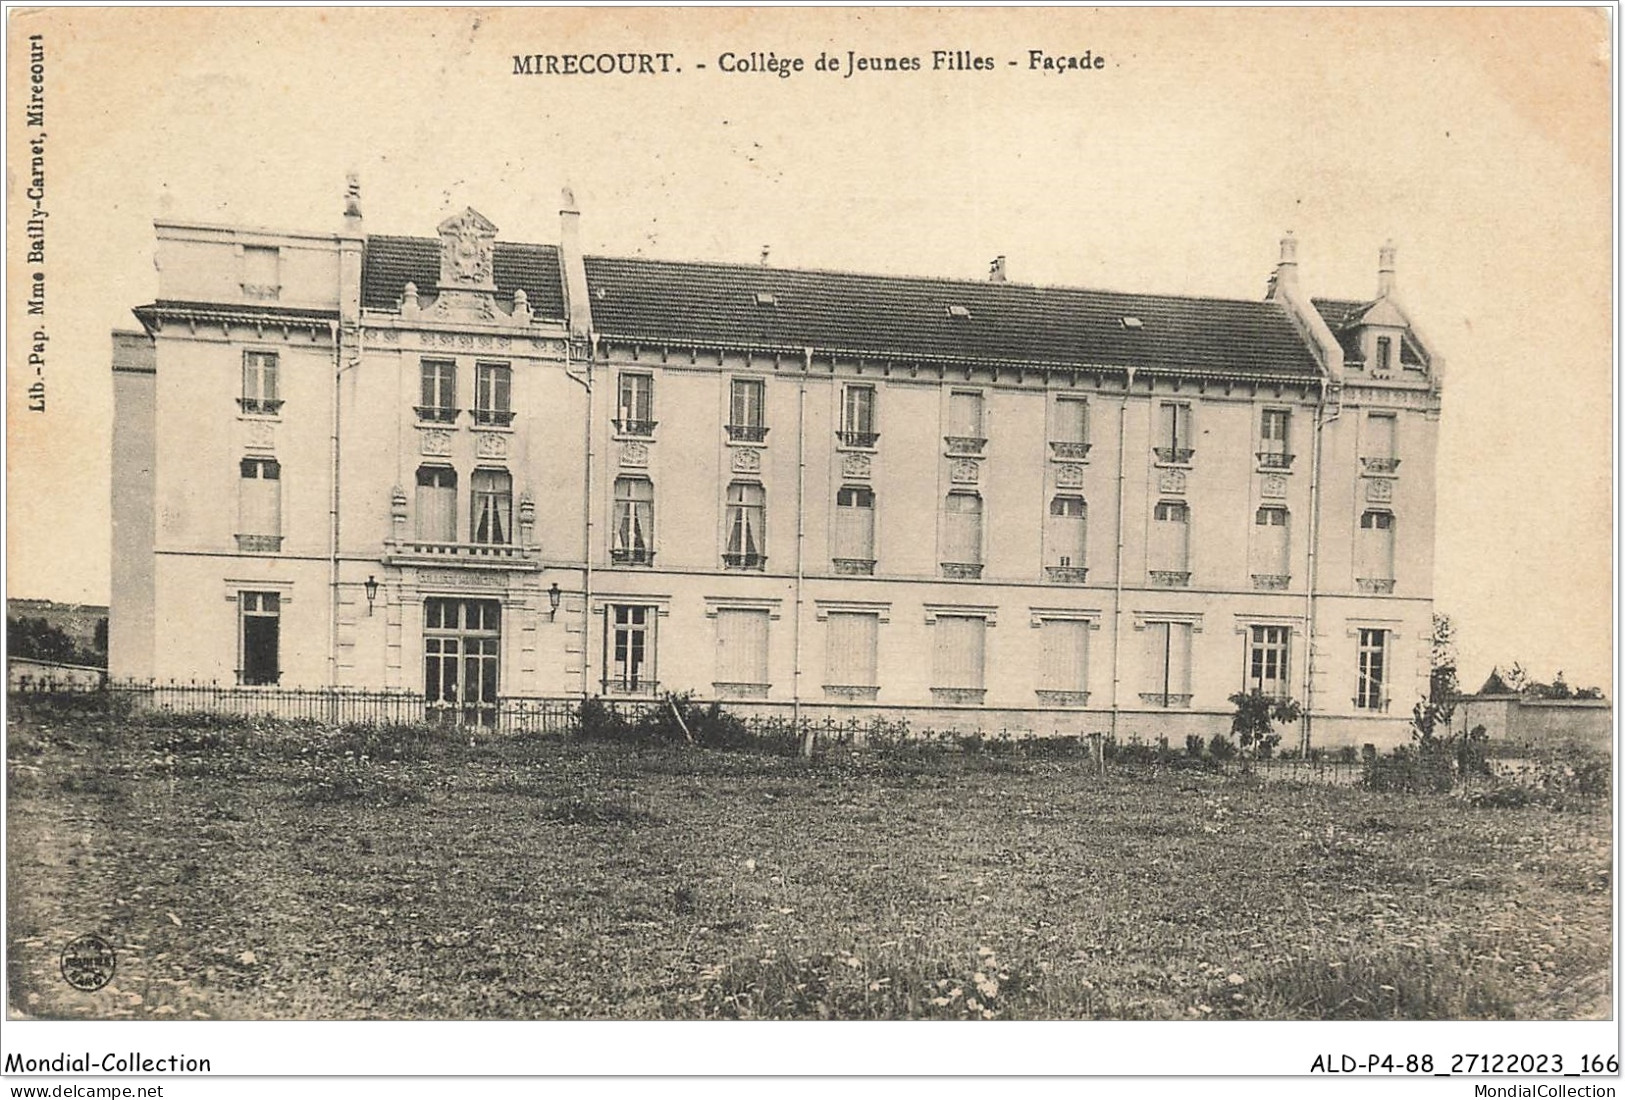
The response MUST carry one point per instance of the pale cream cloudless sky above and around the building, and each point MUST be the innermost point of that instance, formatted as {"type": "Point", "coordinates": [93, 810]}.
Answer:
{"type": "Point", "coordinates": [1478, 141]}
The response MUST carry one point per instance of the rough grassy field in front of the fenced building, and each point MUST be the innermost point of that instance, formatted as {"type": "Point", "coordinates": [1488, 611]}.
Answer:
{"type": "Point", "coordinates": [280, 872]}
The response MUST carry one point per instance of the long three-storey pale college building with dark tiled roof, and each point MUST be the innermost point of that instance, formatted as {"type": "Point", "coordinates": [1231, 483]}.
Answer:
{"type": "Point", "coordinates": [483, 470]}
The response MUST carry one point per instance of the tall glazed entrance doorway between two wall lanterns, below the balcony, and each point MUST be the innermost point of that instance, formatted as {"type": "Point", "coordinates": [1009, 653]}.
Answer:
{"type": "Point", "coordinates": [462, 651]}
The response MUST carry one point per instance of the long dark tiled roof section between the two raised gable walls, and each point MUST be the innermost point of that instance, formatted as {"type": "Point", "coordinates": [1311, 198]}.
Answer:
{"type": "Point", "coordinates": [912, 319]}
